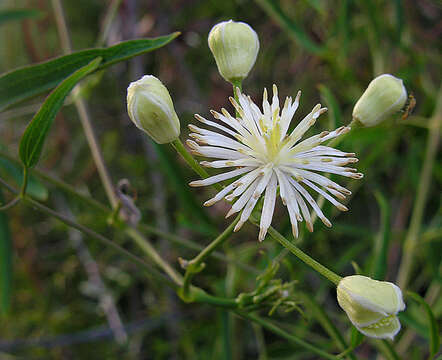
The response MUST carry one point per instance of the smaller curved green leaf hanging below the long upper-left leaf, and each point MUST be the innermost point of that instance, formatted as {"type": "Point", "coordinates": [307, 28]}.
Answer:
{"type": "Point", "coordinates": [35, 134]}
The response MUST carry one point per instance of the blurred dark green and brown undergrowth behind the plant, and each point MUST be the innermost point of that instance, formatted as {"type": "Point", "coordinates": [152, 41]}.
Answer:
{"type": "Point", "coordinates": [73, 299]}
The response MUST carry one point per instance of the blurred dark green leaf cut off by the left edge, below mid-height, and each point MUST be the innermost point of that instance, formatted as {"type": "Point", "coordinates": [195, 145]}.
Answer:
{"type": "Point", "coordinates": [5, 261]}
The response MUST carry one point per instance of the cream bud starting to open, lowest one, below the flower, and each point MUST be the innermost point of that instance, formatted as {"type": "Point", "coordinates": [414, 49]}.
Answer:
{"type": "Point", "coordinates": [371, 305]}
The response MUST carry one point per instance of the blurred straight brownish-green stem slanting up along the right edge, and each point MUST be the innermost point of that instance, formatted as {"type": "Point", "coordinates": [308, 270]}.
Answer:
{"type": "Point", "coordinates": [411, 239]}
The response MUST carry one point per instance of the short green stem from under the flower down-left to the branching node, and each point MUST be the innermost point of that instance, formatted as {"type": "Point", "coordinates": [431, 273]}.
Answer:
{"type": "Point", "coordinates": [195, 265]}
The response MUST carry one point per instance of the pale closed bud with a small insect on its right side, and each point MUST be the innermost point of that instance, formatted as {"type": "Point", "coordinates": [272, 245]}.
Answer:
{"type": "Point", "coordinates": [384, 96]}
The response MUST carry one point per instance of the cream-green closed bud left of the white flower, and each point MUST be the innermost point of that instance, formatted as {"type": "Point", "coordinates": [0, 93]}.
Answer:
{"type": "Point", "coordinates": [150, 107]}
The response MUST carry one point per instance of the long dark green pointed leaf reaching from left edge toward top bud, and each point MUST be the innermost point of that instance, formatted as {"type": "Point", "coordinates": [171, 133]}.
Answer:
{"type": "Point", "coordinates": [32, 80]}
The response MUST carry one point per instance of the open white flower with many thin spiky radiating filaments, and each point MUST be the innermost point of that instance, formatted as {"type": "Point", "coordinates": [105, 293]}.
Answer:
{"type": "Point", "coordinates": [266, 155]}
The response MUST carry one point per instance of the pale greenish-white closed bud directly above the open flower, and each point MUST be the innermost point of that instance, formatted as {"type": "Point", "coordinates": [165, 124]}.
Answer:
{"type": "Point", "coordinates": [234, 46]}
